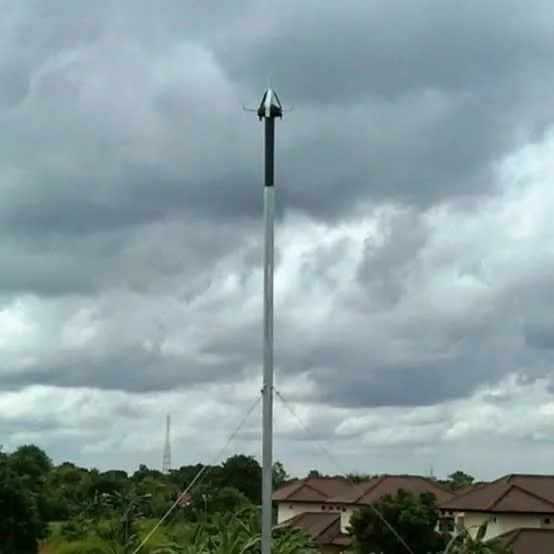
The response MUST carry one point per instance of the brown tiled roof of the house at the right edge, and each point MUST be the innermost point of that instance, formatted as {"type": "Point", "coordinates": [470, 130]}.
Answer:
{"type": "Point", "coordinates": [514, 493]}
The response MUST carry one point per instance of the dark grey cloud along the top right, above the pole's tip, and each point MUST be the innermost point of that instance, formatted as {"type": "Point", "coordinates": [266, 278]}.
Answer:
{"type": "Point", "coordinates": [343, 53]}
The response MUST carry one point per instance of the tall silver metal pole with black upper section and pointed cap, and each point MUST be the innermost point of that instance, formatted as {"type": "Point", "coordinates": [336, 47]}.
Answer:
{"type": "Point", "coordinates": [270, 108]}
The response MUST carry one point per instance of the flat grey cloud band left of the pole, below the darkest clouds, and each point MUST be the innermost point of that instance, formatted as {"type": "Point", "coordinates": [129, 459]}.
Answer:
{"type": "Point", "coordinates": [144, 259]}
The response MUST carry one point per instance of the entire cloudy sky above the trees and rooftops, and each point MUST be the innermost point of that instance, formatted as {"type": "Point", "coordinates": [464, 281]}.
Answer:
{"type": "Point", "coordinates": [414, 249]}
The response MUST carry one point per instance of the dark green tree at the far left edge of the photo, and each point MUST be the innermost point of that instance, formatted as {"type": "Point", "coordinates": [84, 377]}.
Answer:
{"type": "Point", "coordinates": [20, 525]}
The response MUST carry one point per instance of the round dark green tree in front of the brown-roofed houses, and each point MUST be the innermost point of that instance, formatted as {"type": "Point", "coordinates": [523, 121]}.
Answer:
{"type": "Point", "coordinates": [413, 517]}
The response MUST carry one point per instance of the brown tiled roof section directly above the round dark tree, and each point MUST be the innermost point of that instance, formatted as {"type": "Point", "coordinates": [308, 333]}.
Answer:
{"type": "Point", "coordinates": [366, 493]}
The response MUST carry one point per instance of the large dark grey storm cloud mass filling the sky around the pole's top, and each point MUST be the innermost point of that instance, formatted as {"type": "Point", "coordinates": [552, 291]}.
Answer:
{"type": "Point", "coordinates": [143, 139]}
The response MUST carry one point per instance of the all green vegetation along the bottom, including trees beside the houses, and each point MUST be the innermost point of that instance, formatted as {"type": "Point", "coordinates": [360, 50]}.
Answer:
{"type": "Point", "coordinates": [66, 509]}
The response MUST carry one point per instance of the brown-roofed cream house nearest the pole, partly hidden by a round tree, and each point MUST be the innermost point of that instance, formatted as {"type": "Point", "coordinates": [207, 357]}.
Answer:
{"type": "Point", "coordinates": [322, 507]}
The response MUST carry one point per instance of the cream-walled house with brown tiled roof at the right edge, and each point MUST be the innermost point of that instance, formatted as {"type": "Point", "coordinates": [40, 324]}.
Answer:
{"type": "Point", "coordinates": [511, 502]}
